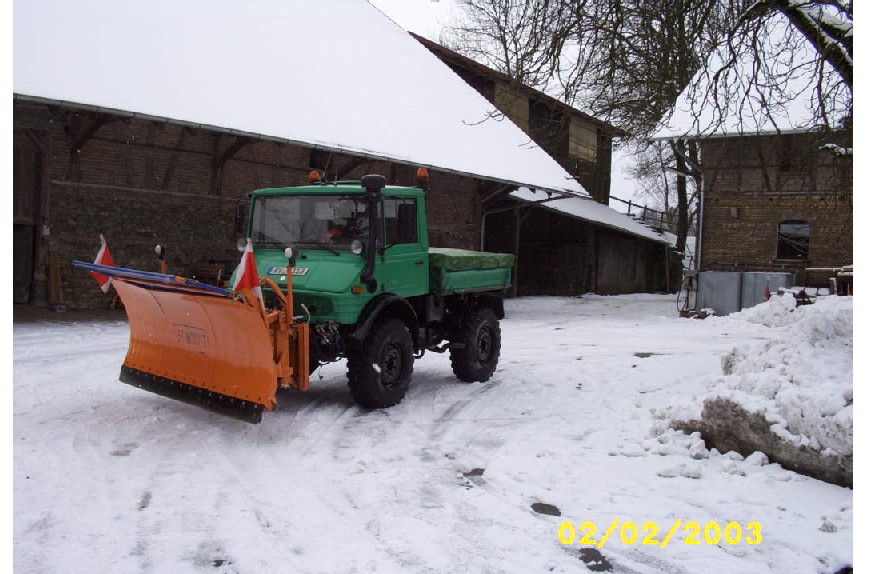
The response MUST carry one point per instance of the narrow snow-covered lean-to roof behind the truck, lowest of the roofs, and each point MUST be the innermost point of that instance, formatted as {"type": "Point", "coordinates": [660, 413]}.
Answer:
{"type": "Point", "coordinates": [590, 210]}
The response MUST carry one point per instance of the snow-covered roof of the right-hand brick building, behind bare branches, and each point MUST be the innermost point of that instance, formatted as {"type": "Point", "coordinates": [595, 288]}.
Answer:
{"type": "Point", "coordinates": [779, 57]}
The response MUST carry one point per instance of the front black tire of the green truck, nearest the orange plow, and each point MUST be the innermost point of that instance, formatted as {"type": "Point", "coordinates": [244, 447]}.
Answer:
{"type": "Point", "coordinates": [390, 348]}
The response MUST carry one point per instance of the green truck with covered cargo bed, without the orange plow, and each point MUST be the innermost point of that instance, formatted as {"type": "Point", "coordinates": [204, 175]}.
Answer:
{"type": "Point", "coordinates": [373, 290]}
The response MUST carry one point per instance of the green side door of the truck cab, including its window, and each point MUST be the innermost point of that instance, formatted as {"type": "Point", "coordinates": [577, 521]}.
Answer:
{"type": "Point", "coordinates": [404, 267]}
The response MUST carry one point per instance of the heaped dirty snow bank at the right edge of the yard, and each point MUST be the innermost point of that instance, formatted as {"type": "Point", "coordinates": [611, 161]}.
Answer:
{"type": "Point", "coordinates": [796, 385]}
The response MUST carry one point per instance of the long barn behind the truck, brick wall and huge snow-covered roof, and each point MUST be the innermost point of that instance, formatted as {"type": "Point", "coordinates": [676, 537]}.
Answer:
{"type": "Point", "coordinates": [154, 133]}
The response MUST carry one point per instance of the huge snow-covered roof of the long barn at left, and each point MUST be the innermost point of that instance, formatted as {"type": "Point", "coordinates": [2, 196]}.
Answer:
{"type": "Point", "coordinates": [335, 73]}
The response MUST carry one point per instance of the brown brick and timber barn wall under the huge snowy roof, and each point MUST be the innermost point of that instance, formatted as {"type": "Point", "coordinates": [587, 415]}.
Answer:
{"type": "Point", "coordinates": [142, 182]}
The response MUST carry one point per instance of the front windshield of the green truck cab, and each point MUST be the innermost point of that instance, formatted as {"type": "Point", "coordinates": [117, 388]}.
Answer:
{"type": "Point", "coordinates": [316, 221]}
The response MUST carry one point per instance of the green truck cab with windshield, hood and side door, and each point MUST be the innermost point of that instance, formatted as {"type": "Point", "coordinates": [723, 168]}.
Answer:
{"type": "Point", "coordinates": [331, 227]}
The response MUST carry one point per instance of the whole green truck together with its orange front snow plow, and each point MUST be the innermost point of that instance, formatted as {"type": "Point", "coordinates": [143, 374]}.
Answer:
{"type": "Point", "coordinates": [367, 288]}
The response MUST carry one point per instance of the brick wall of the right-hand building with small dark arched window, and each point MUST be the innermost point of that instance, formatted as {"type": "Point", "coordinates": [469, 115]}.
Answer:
{"type": "Point", "coordinates": [776, 202]}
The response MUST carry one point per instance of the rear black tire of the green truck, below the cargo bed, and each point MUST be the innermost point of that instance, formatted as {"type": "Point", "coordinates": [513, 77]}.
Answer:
{"type": "Point", "coordinates": [475, 346]}
